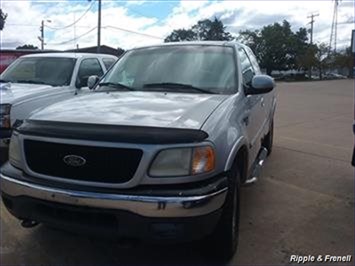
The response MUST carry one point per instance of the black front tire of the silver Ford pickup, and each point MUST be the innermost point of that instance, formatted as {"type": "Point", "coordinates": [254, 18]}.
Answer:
{"type": "Point", "coordinates": [223, 242]}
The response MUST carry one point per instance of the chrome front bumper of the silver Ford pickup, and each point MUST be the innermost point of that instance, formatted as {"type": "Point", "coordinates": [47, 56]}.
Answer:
{"type": "Point", "coordinates": [149, 206]}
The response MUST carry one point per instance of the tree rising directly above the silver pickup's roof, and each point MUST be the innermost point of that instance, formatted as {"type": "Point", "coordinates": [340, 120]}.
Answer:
{"type": "Point", "coordinates": [206, 30]}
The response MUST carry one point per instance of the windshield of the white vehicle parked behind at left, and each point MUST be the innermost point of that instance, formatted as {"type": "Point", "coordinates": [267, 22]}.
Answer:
{"type": "Point", "coordinates": [55, 71]}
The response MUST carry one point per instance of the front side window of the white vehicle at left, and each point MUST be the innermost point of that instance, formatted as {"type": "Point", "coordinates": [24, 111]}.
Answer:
{"type": "Point", "coordinates": [88, 67]}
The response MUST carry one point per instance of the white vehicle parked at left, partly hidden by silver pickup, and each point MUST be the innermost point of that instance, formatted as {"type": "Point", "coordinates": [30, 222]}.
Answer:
{"type": "Point", "coordinates": [38, 80]}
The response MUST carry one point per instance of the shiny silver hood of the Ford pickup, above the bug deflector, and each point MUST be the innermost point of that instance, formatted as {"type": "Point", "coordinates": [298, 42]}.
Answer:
{"type": "Point", "coordinates": [151, 109]}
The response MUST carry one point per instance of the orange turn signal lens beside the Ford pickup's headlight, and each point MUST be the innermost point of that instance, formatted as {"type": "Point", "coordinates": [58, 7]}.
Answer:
{"type": "Point", "coordinates": [203, 160]}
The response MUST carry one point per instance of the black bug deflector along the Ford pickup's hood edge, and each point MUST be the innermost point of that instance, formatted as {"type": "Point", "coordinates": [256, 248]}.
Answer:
{"type": "Point", "coordinates": [111, 133]}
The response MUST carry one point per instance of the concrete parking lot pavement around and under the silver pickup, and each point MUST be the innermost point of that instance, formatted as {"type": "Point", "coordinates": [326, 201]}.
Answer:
{"type": "Point", "coordinates": [303, 204]}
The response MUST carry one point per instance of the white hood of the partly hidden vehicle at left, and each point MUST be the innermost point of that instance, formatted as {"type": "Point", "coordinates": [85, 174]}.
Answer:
{"type": "Point", "coordinates": [14, 92]}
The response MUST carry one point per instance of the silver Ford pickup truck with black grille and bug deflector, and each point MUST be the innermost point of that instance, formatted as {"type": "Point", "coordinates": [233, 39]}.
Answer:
{"type": "Point", "coordinates": [158, 151]}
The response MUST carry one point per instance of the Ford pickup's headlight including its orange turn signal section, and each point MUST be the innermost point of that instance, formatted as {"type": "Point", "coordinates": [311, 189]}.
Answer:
{"type": "Point", "coordinates": [183, 162]}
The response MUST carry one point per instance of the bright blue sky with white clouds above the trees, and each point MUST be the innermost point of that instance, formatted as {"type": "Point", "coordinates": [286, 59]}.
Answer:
{"type": "Point", "coordinates": [128, 24]}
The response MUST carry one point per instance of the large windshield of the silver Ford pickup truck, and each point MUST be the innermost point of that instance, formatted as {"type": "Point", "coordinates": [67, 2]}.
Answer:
{"type": "Point", "coordinates": [183, 68]}
